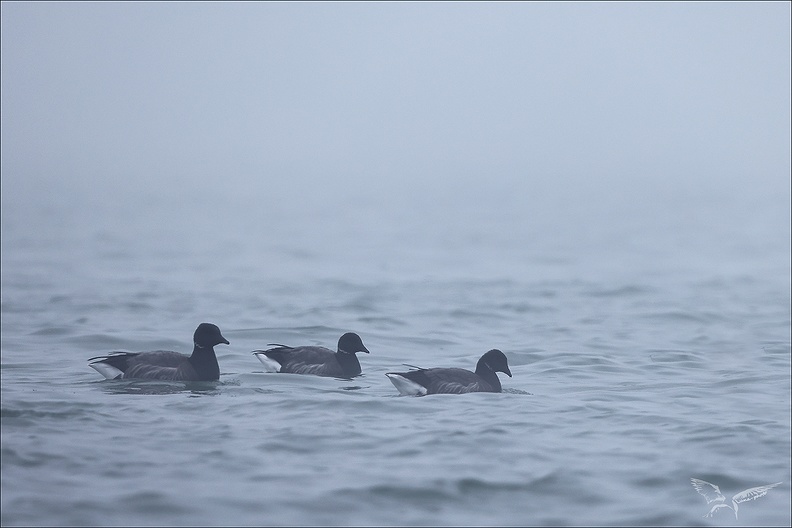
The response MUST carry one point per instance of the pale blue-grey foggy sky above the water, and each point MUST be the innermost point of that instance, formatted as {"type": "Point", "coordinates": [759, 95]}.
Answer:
{"type": "Point", "coordinates": [353, 101]}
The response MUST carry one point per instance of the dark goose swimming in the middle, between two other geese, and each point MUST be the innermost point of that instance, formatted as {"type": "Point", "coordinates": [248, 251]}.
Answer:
{"type": "Point", "coordinates": [315, 360]}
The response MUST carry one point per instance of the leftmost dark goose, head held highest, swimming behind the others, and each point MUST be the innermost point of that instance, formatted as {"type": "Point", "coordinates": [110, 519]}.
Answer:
{"type": "Point", "coordinates": [164, 364]}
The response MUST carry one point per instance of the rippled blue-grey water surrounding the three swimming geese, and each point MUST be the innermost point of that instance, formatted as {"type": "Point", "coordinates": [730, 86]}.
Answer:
{"type": "Point", "coordinates": [649, 340]}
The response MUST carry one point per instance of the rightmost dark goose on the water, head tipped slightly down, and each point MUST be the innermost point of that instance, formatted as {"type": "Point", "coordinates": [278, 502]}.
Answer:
{"type": "Point", "coordinates": [421, 382]}
